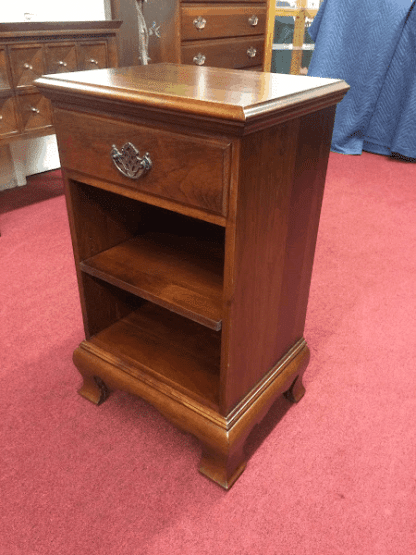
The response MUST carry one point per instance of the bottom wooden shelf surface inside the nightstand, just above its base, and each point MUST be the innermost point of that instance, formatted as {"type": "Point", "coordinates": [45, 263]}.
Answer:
{"type": "Point", "coordinates": [156, 342]}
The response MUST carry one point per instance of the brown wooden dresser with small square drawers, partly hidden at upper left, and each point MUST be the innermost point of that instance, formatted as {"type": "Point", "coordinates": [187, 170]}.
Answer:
{"type": "Point", "coordinates": [29, 50]}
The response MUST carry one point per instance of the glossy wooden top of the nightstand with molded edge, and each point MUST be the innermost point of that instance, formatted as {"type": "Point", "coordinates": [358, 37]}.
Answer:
{"type": "Point", "coordinates": [234, 95]}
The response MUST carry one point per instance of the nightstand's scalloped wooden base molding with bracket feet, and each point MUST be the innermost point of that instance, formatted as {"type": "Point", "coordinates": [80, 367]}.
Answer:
{"type": "Point", "coordinates": [222, 437]}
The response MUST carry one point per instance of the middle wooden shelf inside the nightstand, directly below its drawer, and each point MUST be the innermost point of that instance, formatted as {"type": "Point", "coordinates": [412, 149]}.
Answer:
{"type": "Point", "coordinates": [182, 274]}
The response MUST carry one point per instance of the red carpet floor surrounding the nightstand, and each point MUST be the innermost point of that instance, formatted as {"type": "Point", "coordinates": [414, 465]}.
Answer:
{"type": "Point", "coordinates": [333, 475]}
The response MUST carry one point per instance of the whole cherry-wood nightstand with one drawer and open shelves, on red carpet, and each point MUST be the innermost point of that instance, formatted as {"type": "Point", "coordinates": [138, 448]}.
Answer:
{"type": "Point", "coordinates": [194, 196]}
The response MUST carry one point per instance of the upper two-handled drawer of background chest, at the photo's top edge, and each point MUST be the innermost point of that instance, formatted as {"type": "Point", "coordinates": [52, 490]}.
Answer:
{"type": "Point", "coordinates": [206, 23]}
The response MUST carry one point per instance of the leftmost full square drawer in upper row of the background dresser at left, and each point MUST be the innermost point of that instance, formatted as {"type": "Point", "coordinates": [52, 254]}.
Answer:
{"type": "Point", "coordinates": [27, 64]}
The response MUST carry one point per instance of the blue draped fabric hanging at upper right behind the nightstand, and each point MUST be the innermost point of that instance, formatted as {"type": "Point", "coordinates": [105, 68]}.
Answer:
{"type": "Point", "coordinates": [372, 45]}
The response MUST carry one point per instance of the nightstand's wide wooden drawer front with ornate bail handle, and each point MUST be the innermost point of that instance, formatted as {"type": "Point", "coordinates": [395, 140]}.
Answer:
{"type": "Point", "coordinates": [190, 170]}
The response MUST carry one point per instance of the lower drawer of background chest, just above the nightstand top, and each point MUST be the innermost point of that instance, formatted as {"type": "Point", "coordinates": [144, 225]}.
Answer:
{"type": "Point", "coordinates": [228, 53]}
